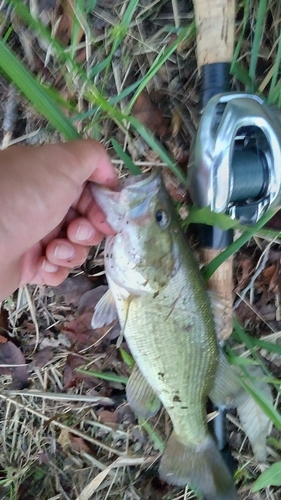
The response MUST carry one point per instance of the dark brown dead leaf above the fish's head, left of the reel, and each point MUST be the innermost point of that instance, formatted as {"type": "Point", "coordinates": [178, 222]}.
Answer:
{"type": "Point", "coordinates": [148, 113]}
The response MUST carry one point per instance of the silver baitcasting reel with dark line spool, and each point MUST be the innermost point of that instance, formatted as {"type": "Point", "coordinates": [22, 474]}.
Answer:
{"type": "Point", "coordinates": [235, 166]}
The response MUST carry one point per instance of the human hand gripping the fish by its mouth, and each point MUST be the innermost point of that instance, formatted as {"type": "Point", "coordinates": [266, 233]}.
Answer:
{"type": "Point", "coordinates": [48, 217]}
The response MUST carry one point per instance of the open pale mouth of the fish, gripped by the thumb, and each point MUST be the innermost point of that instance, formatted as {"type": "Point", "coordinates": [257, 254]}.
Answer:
{"type": "Point", "coordinates": [130, 192]}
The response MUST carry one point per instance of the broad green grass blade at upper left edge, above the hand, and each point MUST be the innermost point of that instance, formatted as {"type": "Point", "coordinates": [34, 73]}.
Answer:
{"type": "Point", "coordinates": [36, 94]}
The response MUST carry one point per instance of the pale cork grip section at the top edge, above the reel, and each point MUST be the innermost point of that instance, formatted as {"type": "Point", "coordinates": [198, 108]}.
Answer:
{"type": "Point", "coordinates": [215, 30]}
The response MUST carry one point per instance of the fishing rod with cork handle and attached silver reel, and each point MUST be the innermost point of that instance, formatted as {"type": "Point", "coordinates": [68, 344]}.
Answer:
{"type": "Point", "coordinates": [235, 165]}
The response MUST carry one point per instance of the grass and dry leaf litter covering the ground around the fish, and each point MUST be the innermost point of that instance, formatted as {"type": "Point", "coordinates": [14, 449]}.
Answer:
{"type": "Point", "coordinates": [124, 73]}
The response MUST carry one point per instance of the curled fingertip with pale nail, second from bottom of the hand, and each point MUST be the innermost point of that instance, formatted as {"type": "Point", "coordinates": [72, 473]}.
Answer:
{"type": "Point", "coordinates": [62, 252]}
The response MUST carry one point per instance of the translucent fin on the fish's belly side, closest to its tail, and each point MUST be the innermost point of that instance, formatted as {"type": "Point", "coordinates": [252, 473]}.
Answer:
{"type": "Point", "coordinates": [141, 397]}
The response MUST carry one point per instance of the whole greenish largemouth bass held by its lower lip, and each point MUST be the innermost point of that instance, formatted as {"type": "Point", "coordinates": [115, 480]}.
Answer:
{"type": "Point", "coordinates": [165, 315]}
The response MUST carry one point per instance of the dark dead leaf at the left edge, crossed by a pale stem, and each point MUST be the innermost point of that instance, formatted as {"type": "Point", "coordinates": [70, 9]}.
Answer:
{"type": "Point", "coordinates": [12, 356]}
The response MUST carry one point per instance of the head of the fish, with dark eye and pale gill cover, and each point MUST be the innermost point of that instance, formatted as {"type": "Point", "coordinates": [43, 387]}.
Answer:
{"type": "Point", "coordinates": [142, 256]}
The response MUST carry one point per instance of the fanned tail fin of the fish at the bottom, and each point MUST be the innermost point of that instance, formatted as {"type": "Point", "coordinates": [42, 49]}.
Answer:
{"type": "Point", "coordinates": [201, 466]}
